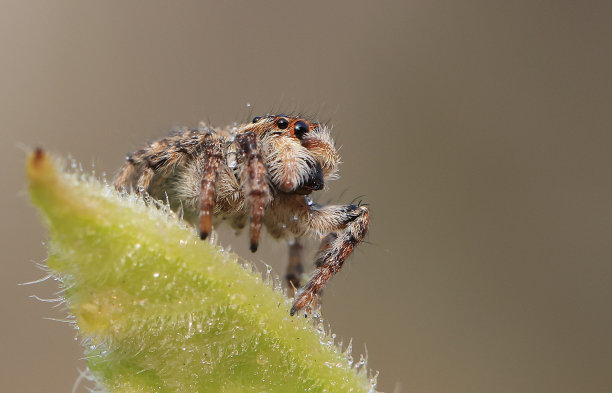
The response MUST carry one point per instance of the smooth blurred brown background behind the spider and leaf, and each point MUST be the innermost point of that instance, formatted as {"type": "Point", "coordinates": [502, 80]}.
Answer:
{"type": "Point", "coordinates": [478, 131]}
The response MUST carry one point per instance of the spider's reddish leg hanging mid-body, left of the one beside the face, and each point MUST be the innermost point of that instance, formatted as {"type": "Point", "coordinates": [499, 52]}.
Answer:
{"type": "Point", "coordinates": [213, 156]}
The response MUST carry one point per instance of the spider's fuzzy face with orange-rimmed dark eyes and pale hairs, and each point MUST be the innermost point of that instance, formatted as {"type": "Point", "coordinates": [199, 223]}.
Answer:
{"type": "Point", "coordinates": [299, 155]}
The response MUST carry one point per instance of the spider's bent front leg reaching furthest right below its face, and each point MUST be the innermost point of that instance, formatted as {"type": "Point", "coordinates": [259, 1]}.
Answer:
{"type": "Point", "coordinates": [345, 226]}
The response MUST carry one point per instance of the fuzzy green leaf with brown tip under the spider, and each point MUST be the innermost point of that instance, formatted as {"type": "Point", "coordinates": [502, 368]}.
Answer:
{"type": "Point", "coordinates": [161, 311]}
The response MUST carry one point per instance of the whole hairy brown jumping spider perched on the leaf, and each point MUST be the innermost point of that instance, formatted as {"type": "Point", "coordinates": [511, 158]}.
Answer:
{"type": "Point", "coordinates": [264, 171]}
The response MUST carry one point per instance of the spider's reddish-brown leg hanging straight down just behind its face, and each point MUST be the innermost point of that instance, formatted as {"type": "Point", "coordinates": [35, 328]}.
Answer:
{"type": "Point", "coordinates": [258, 191]}
